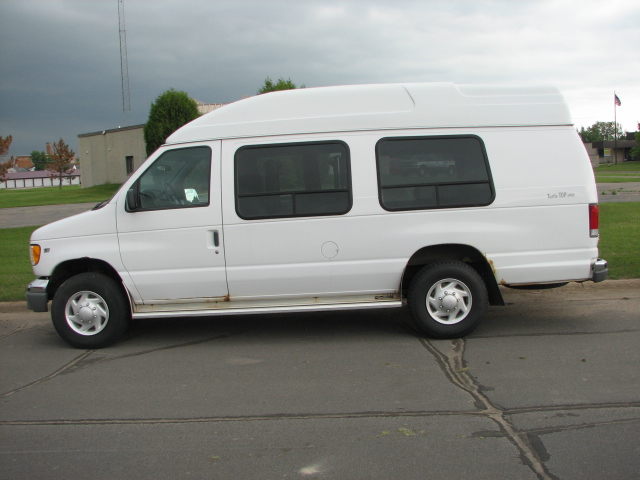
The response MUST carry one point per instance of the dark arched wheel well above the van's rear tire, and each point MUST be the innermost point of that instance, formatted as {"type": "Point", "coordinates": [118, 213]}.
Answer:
{"type": "Point", "coordinates": [462, 253]}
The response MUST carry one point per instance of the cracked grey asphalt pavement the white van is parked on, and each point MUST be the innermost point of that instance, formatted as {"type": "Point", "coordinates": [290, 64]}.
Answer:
{"type": "Point", "coordinates": [548, 387]}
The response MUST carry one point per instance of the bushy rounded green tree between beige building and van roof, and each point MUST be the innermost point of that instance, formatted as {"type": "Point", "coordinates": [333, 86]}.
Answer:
{"type": "Point", "coordinates": [169, 112]}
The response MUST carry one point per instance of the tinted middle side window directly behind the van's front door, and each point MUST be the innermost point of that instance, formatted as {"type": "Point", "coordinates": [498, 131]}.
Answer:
{"type": "Point", "coordinates": [292, 180]}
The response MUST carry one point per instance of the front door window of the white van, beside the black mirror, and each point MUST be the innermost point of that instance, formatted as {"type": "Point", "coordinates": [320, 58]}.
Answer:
{"type": "Point", "coordinates": [179, 178]}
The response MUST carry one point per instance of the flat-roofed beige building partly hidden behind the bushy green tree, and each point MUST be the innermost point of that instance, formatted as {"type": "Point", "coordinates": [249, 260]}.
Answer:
{"type": "Point", "coordinates": [111, 156]}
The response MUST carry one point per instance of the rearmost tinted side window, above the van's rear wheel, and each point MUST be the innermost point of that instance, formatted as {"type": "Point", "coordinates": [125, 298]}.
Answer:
{"type": "Point", "coordinates": [433, 172]}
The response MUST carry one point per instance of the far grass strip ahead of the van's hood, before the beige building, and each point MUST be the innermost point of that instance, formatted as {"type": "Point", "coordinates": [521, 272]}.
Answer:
{"type": "Point", "coordinates": [31, 197]}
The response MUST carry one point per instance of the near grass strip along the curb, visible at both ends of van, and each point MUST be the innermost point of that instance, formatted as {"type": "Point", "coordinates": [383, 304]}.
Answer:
{"type": "Point", "coordinates": [619, 245]}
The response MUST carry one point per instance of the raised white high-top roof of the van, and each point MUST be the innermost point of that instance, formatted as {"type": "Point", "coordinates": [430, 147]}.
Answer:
{"type": "Point", "coordinates": [379, 107]}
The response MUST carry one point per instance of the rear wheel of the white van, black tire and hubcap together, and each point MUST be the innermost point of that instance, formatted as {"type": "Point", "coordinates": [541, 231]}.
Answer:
{"type": "Point", "coordinates": [447, 299]}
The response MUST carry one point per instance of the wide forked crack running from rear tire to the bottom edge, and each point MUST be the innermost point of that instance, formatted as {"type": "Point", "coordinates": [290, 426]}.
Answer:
{"type": "Point", "coordinates": [453, 366]}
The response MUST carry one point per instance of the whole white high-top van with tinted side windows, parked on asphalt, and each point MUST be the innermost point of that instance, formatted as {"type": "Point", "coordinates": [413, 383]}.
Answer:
{"type": "Point", "coordinates": [334, 198]}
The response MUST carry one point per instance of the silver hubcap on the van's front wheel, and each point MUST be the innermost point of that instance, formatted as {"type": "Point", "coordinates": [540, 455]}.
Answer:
{"type": "Point", "coordinates": [87, 313]}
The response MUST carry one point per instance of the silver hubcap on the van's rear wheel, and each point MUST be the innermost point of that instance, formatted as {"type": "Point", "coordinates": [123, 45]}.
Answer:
{"type": "Point", "coordinates": [449, 301]}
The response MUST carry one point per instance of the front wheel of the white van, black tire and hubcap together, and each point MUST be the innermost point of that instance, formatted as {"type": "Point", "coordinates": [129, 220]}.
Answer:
{"type": "Point", "coordinates": [90, 310]}
